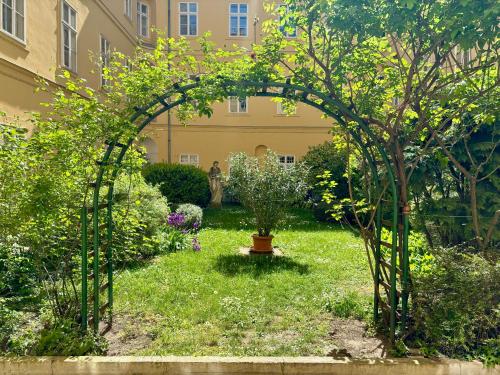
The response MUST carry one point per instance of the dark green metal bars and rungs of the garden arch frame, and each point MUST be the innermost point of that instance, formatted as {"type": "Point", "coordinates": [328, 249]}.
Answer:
{"type": "Point", "coordinates": [300, 93]}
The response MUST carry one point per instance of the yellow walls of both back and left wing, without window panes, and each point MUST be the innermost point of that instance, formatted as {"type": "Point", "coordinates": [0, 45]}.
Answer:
{"type": "Point", "coordinates": [210, 139]}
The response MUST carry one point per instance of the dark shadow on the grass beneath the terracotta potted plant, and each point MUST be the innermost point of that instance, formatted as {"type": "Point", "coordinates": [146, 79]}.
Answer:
{"type": "Point", "coordinates": [259, 265]}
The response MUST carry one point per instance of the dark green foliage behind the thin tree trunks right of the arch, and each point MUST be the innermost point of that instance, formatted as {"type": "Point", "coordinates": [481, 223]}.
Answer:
{"type": "Point", "coordinates": [442, 195]}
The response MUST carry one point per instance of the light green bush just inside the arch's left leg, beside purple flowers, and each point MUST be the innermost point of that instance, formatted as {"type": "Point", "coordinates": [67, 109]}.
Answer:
{"type": "Point", "coordinates": [140, 213]}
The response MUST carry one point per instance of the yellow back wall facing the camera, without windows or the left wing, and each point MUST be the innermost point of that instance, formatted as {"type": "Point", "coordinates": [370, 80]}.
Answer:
{"type": "Point", "coordinates": [225, 133]}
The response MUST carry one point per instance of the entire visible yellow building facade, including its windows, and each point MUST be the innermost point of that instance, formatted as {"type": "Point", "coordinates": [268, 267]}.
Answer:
{"type": "Point", "coordinates": [37, 37]}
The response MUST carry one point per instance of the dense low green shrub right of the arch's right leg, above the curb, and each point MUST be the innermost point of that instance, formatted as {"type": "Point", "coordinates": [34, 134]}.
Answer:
{"type": "Point", "coordinates": [456, 305]}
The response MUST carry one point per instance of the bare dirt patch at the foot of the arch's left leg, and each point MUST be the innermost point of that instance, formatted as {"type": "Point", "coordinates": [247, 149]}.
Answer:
{"type": "Point", "coordinates": [126, 336]}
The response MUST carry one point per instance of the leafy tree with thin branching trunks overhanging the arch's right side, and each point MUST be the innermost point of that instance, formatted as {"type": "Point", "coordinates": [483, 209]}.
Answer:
{"type": "Point", "coordinates": [403, 68]}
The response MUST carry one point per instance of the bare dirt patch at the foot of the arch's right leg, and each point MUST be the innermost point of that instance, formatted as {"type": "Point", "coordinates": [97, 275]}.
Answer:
{"type": "Point", "coordinates": [352, 339]}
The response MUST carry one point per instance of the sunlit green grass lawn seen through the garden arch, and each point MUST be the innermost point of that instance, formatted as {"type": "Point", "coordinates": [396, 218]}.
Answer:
{"type": "Point", "coordinates": [218, 302]}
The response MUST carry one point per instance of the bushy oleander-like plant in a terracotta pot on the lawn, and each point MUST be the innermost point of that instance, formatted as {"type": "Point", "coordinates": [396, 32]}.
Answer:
{"type": "Point", "coordinates": [266, 188]}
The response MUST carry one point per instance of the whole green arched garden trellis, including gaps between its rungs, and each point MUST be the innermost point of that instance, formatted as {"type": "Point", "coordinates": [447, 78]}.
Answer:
{"type": "Point", "coordinates": [97, 230]}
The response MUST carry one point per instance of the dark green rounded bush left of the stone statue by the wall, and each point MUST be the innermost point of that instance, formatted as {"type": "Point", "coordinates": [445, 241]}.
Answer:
{"type": "Point", "coordinates": [179, 183]}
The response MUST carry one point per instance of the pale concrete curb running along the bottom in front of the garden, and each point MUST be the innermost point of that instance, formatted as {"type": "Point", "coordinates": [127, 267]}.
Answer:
{"type": "Point", "coordinates": [237, 366]}
